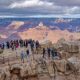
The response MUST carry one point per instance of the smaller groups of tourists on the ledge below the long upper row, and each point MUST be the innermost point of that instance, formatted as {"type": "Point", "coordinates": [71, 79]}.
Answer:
{"type": "Point", "coordinates": [47, 53]}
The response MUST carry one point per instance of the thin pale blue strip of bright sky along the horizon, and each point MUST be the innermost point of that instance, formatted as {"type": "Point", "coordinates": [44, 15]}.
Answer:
{"type": "Point", "coordinates": [42, 16]}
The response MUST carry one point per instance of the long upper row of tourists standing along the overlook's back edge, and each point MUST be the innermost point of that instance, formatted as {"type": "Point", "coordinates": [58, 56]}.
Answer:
{"type": "Point", "coordinates": [14, 44]}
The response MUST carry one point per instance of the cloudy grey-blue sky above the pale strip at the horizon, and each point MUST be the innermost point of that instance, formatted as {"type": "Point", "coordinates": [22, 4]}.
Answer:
{"type": "Point", "coordinates": [39, 7]}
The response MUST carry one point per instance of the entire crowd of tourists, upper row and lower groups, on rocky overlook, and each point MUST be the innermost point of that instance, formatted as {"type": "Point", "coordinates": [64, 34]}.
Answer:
{"type": "Point", "coordinates": [29, 45]}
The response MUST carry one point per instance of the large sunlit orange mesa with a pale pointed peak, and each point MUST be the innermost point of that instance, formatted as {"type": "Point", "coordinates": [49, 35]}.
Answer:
{"type": "Point", "coordinates": [39, 33]}
